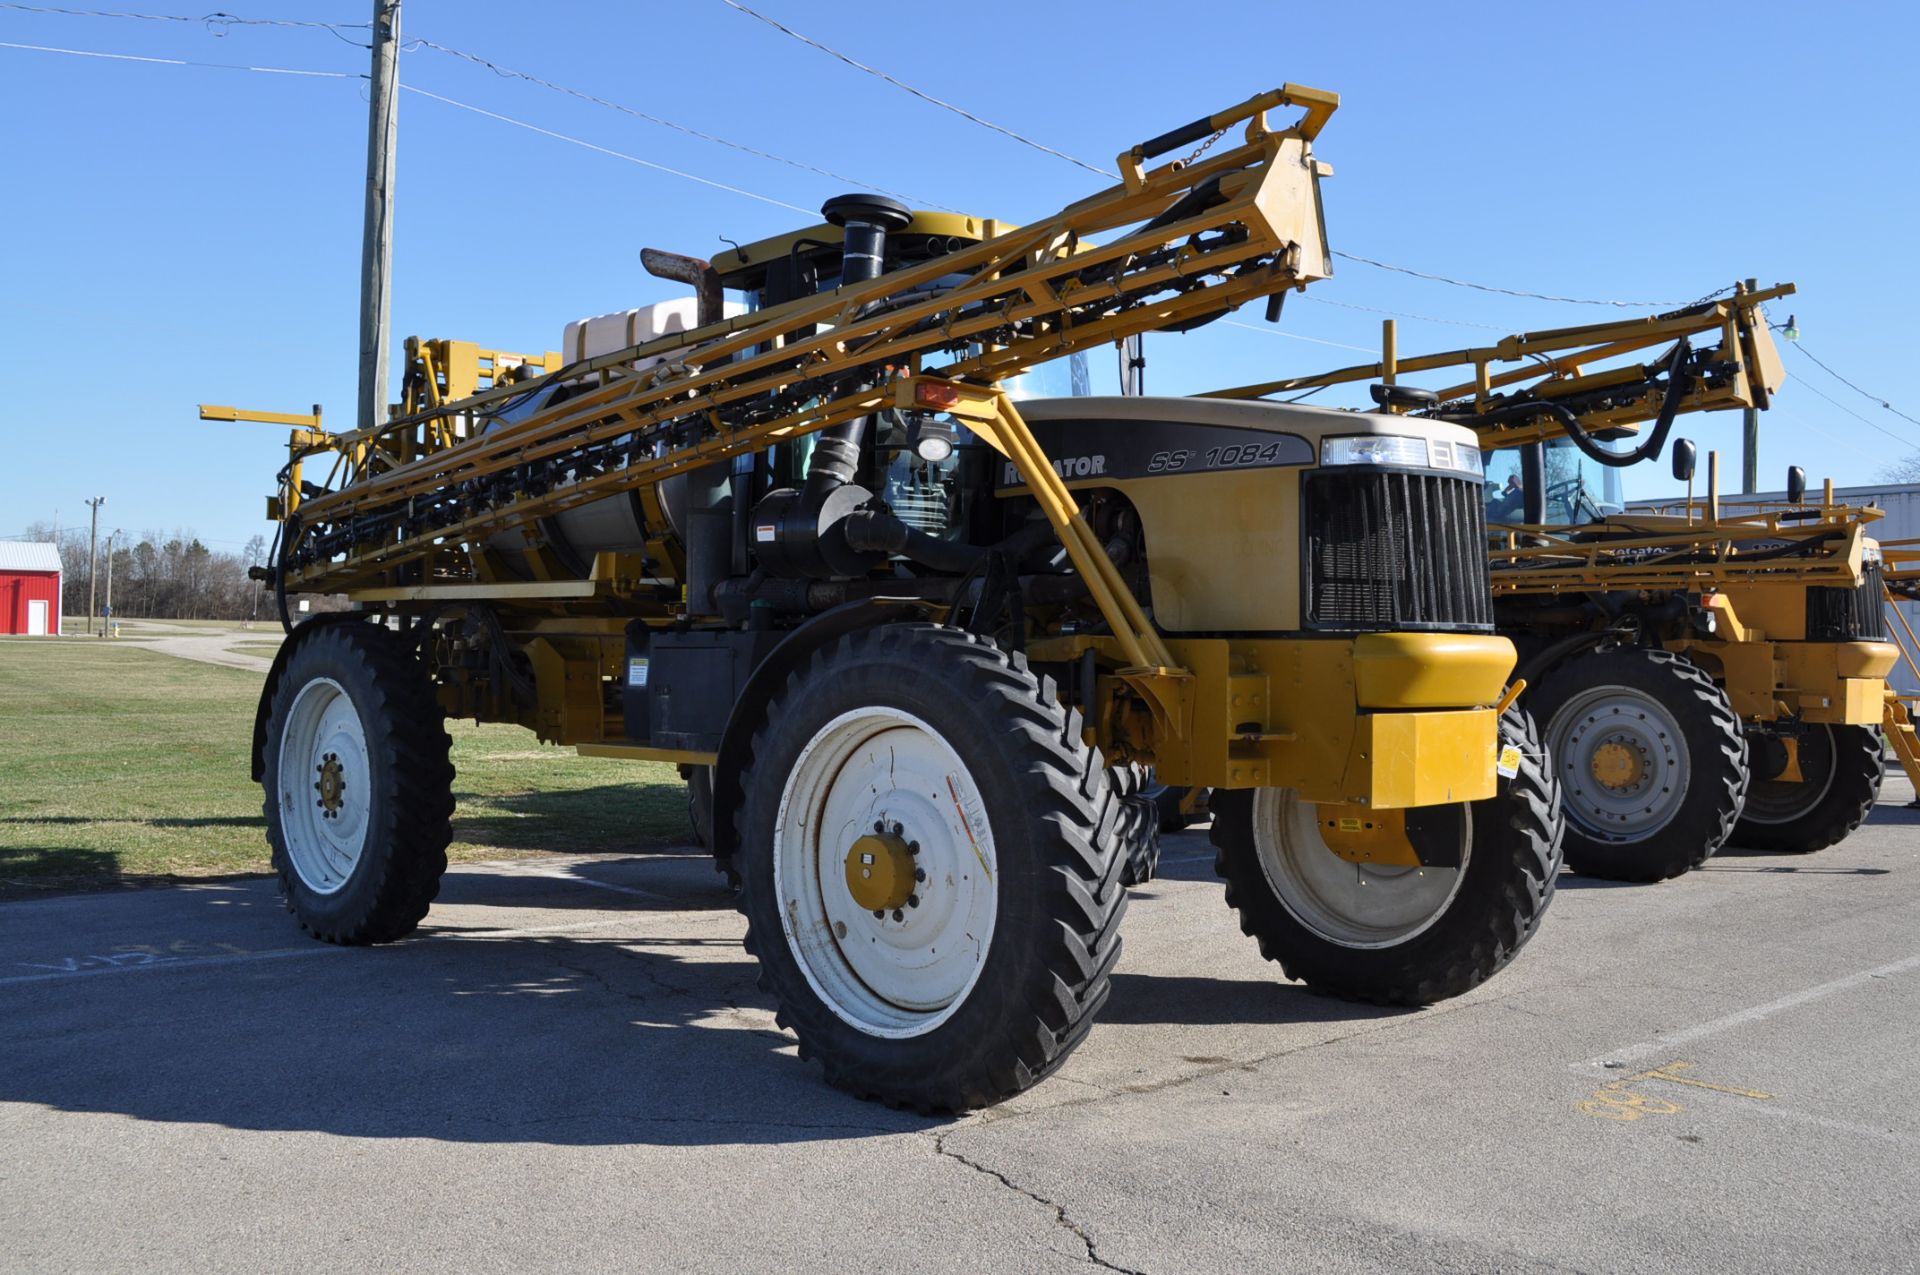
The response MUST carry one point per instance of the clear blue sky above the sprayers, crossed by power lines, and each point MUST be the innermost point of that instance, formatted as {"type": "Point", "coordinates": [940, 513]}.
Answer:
{"type": "Point", "coordinates": [176, 235]}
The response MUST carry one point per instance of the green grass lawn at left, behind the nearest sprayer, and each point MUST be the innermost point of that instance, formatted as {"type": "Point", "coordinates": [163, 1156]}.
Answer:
{"type": "Point", "coordinates": [122, 765]}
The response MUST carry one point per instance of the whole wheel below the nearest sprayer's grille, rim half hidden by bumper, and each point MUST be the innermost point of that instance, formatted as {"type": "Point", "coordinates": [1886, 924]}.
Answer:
{"type": "Point", "coordinates": [1397, 934]}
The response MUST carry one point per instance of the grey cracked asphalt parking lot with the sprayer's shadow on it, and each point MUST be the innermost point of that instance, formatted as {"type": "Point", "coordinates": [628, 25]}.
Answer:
{"type": "Point", "coordinates": [571, 1069]}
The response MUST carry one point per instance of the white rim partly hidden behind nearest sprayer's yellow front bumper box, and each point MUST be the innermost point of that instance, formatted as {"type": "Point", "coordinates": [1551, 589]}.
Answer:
{"type": "Point", "coordinates": [1351, 905]}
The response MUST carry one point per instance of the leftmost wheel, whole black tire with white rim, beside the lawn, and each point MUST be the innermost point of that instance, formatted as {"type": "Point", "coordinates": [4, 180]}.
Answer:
{"type": "Point", "coordinates": [358, 782]}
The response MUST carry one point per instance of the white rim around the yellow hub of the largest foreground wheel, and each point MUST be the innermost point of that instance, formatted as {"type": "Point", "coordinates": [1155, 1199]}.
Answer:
{"type": "Point", "coordinates": [884, 976]}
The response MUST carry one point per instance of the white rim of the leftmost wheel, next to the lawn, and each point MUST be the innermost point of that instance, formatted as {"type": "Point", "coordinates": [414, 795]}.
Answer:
{"type": "Point", "coordinates": [325, 832]}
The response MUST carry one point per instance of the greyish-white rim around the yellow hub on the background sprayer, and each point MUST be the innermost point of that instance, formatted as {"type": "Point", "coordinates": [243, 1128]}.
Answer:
{"type": "Point", "coordinates": [1616, 717]}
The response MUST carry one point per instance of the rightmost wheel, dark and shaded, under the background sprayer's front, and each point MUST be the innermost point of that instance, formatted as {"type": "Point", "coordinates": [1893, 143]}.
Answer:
{"type": "Point", "coordinates": [1840, 782]}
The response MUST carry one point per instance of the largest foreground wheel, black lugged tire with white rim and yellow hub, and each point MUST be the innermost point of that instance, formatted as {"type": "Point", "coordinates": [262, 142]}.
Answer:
{"type": "Point", "coordinates": [930, 869]}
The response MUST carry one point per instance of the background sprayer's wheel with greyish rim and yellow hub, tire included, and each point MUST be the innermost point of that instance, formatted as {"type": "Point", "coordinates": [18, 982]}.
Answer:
{"type": "Point", "coordinates": [1652, 761]}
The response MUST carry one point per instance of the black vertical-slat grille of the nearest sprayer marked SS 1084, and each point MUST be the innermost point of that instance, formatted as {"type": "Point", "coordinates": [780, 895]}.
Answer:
{"type": "Point", "coordinates": [1389, 552]}
